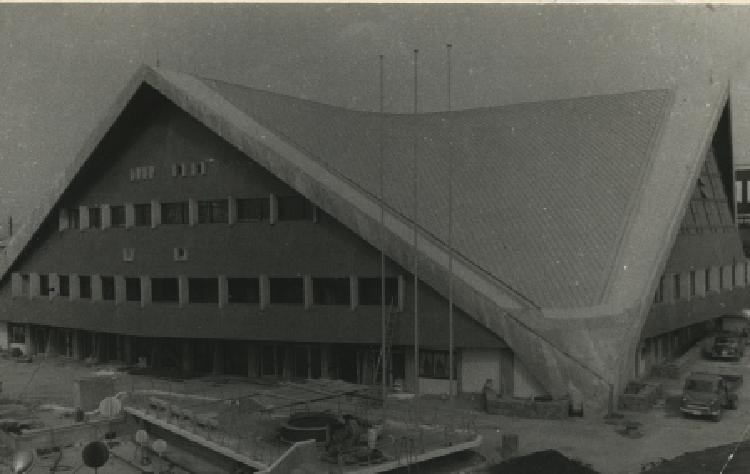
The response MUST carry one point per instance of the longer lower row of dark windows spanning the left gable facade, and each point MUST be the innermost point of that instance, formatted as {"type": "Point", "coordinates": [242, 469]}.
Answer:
{"type": "Point", "coordinates": [325, 291]}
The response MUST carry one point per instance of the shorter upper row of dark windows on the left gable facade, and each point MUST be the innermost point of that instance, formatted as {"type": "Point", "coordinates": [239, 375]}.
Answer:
{"type": "Point", "coordinates": [288, 208]}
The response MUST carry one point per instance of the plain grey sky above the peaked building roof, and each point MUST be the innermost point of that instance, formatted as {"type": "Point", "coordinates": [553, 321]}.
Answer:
{"type": "Point", "coordinates": [62, 65]}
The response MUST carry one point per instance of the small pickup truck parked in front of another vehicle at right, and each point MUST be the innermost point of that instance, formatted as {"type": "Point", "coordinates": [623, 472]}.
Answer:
{"type": "Point", "coordinates": [708, 394]}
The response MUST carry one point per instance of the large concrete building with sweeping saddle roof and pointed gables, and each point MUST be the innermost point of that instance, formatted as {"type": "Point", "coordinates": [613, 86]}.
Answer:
{"type": "Point", "coordinates": [212, 227]}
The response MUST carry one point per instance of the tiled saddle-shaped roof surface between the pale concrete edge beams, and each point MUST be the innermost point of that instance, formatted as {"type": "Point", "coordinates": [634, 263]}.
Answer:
{"type": "Point", "coordinates": [542, 191]}
